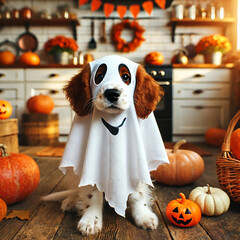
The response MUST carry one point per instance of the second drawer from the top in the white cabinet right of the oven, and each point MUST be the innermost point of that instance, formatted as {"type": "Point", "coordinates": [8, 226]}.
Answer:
{"type": "Point", "coordinates": [198, 90]}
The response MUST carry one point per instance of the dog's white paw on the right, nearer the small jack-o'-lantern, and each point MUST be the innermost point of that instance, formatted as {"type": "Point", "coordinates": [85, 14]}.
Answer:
{"type": "Point", "coordinates": [146, 219]}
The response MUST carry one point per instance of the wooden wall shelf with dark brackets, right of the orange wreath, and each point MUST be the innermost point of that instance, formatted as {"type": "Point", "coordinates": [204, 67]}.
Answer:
{"type": "Point", "coordinates": [199, 22]}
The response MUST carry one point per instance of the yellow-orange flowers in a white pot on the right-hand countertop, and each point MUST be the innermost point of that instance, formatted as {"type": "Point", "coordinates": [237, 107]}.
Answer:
{"type": "Point", "coordinates": [213, 47]}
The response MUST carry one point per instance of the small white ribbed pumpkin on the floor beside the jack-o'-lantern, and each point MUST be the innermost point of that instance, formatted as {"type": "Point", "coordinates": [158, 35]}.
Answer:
{"type": "Point", "coordinates": [212, 201]}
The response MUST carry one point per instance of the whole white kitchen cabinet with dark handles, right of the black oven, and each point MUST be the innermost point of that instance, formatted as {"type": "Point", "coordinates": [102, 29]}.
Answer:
{"type": "Point", "coordinates": [201, 99]}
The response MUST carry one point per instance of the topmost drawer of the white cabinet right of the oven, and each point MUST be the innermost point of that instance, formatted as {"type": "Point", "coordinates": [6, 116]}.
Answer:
{"type": "Point", "coordinates": [201, 75]}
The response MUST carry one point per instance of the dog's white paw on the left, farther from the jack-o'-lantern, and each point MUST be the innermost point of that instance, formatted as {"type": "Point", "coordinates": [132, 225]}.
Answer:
{"type": "Point", "coordinates": [90, 224]}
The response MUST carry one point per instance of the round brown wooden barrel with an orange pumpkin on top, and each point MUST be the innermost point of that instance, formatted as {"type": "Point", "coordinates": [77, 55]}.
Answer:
{"type": "Point", "coordinates": [40, 129]}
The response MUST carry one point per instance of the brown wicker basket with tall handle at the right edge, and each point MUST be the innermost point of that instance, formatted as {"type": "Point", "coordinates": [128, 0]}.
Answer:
{"type": "Point", "coordinates": [228, 167]}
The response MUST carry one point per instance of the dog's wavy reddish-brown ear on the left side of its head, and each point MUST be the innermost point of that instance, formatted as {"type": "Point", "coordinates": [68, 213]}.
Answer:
{"type": "Point", "coordinates": [78, 92]}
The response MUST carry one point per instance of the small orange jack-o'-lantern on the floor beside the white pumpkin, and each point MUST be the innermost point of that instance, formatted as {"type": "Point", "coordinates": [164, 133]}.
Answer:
{"type": "Point", "coordinates": [183, 212]}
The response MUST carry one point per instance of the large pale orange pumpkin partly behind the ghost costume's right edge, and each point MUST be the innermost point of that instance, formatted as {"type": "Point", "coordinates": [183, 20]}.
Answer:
{"type": "Point", "coordinates": [185, 167]}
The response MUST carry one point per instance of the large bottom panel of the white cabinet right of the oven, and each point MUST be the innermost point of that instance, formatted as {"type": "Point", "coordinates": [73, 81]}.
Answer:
{"type": "Point", "coordinates": [196, 116]}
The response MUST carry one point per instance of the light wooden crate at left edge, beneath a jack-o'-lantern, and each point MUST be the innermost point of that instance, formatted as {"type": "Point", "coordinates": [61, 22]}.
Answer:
{"type": "Point", "coordinates": [9, 134]}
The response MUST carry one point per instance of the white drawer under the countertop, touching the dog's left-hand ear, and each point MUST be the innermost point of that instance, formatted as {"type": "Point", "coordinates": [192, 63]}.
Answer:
{"type": "Point", "coordinates": [51, 74]}
